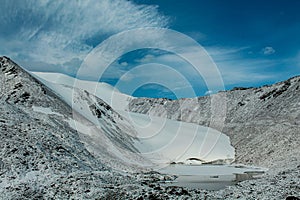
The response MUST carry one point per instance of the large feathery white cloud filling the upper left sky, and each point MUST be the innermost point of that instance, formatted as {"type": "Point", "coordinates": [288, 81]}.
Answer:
{"type": "Point", "coordinates": [55, 32]}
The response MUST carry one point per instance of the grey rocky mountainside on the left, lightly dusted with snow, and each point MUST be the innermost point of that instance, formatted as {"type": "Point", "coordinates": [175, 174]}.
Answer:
{"type": "Point", "coordinates": [41, 155]}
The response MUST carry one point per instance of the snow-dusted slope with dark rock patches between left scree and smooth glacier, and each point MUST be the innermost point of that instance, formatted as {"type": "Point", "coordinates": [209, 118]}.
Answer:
{"type": "Point", "coordinates": [104, 127]}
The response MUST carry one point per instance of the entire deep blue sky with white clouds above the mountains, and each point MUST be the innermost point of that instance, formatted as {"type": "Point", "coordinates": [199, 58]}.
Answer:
{"type": "Point", "coordinates": [251, 43]}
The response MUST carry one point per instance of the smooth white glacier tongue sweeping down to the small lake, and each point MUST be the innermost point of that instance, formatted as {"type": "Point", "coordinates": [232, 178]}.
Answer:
{"type": "Point", "coordinates": [158, 139]}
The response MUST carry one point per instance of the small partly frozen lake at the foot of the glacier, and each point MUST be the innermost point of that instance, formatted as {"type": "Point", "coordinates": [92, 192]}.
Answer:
{"type": "Point", "coordinates": [210, 177]}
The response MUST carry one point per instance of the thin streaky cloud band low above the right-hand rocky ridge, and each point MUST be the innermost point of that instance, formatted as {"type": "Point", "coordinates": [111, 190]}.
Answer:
{"type": "Point", "coordinates": [235, 65]}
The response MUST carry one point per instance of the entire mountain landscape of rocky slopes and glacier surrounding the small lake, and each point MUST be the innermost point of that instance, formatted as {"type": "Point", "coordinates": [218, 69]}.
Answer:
{"type": "Point", "coordinates": [65, 138]}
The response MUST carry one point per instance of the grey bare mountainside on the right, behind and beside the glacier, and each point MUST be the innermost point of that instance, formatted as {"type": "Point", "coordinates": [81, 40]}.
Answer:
{"type": "Point", "coordinates": [262, 123]}
